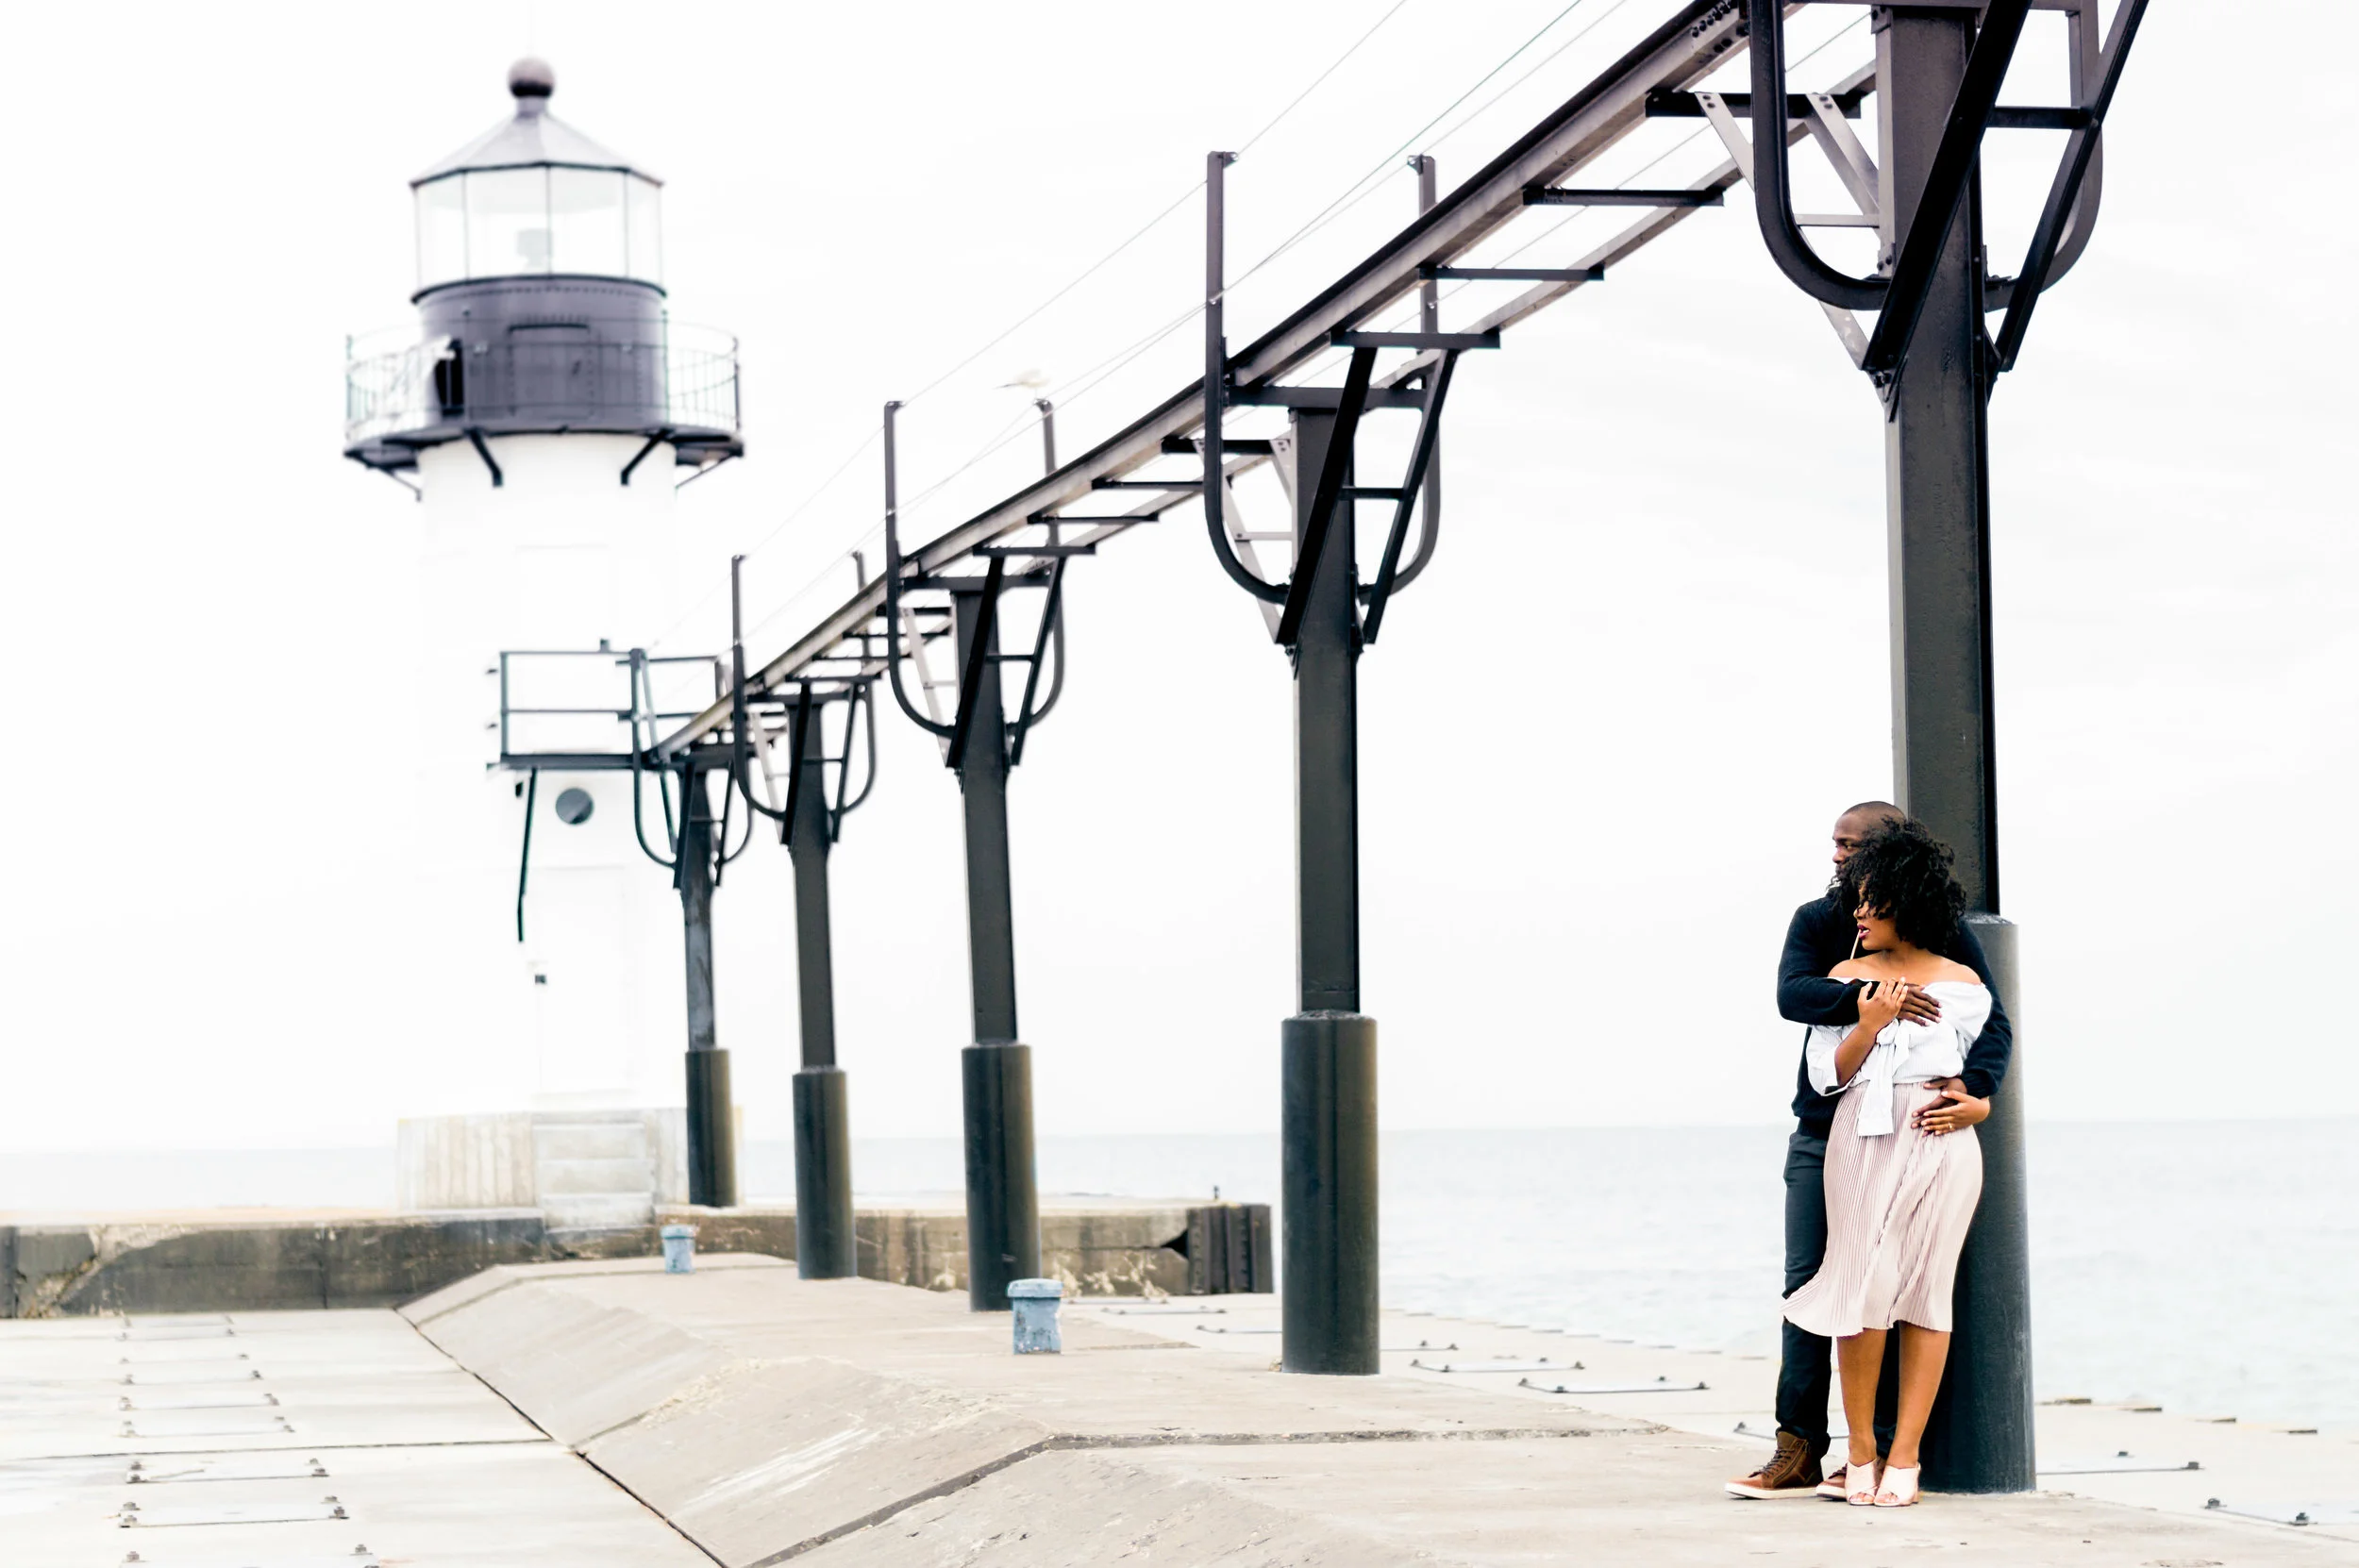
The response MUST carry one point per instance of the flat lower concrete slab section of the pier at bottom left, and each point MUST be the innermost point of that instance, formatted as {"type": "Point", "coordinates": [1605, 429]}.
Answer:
{"type": "Point", "coordinates": [305, 1437]}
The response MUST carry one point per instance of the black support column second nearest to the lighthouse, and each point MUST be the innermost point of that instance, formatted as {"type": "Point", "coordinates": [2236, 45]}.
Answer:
{"type": "Point", "coordinates": [824, 1237]}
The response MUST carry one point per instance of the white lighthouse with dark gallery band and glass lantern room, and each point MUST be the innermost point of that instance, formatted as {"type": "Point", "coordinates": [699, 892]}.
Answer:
{"type": "Point", "coordinates": [544, 407]}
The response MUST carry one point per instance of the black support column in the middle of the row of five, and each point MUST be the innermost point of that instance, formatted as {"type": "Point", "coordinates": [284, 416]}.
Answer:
{"type": "Point", "coordinates": [1004, 1206]}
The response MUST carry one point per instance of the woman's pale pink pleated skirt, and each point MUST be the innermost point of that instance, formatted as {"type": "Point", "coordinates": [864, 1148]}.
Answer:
{"type": "Point", "coordinates": [1898, 1208]}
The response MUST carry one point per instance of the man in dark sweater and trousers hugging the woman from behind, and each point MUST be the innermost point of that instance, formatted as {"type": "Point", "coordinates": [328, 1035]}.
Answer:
{"type": "Point", "coordinates": [1818, 940]}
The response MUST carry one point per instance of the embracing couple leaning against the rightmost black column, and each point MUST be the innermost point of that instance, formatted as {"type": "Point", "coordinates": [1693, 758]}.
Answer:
{"type": "Point", "coordinates": [1905, 1048]}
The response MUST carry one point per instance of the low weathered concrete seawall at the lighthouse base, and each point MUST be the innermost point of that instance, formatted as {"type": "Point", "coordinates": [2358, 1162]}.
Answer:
{"type": "Point", "coordinates": [303, 1260]}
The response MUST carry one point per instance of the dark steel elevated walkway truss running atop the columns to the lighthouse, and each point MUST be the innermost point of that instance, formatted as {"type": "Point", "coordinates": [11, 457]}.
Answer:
{"type": "Point", "coordinates": [1155, 466]}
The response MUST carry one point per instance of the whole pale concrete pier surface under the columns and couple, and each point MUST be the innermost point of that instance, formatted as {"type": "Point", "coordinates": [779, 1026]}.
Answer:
{"type": "Point", "coordinates": [607, 1414]}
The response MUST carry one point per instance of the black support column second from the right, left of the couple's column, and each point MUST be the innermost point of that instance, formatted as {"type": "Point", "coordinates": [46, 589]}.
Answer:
{"type": "Point", "coordinates": [1329, 1048]}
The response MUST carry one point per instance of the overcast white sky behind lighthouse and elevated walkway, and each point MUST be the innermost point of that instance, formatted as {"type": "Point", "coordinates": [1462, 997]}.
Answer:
{"type": "Point", "coordinates": [1603, 742]}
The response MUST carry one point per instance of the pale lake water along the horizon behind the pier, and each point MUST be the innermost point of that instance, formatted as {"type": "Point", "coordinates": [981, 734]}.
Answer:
{"type": "Point", "coordinates": [2209, 1267]}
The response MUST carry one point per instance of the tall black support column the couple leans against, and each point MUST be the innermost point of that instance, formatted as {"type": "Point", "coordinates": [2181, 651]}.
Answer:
{"type": "Point", "coordinates": [1943, 751]}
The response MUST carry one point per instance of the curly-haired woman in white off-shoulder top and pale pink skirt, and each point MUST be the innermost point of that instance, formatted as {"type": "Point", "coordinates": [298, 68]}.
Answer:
{"type": "Point", "coordinates": [1900, 1187]}
